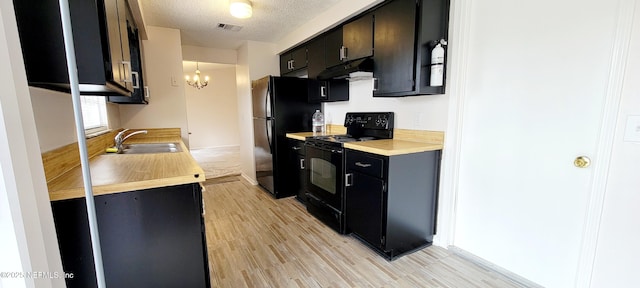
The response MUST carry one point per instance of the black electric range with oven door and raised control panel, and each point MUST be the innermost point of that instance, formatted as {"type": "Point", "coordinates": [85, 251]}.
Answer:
{"type": "Point", "coordinates": [326, 164]}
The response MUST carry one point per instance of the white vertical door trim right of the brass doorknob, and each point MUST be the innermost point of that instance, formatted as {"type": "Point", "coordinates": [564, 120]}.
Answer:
{"type": "Point", "coordinates": [613, 98]}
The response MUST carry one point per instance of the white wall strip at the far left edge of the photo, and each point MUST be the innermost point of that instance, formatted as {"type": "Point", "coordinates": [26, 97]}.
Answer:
{"type": "Point", "coordinates": [28, 237]}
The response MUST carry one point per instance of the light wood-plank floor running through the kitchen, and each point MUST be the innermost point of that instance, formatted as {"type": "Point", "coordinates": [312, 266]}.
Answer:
{"type": "Point", "coordinates": [256, 241]}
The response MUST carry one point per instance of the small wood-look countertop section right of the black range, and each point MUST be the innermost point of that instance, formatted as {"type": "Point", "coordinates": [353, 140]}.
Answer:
{"type": "Point", "coordinates": [390, 147]}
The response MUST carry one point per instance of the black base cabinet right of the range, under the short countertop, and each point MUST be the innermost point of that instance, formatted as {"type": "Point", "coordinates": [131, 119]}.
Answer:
{"type": "Point", "coordinates": [391, 200]}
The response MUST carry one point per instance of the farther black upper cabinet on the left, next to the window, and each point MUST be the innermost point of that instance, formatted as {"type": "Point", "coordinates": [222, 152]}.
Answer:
{"type": "Point", "coordinates": [139, 95]}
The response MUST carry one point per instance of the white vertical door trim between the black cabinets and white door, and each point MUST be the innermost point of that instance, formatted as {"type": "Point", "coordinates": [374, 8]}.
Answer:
{"type": "Point", "coordinates": [458, 71]}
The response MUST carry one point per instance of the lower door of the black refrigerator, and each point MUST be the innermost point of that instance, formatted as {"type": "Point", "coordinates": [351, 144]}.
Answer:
{"type": "Point", "coordinates": [262, 151]}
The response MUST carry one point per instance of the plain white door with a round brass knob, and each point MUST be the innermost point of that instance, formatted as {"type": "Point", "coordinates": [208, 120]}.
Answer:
{"type": "Point", "coordinates": [537, 78]}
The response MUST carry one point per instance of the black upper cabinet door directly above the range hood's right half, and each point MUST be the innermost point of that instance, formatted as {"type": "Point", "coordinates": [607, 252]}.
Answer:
{"type": "Point", "coordinates": [357, 38]}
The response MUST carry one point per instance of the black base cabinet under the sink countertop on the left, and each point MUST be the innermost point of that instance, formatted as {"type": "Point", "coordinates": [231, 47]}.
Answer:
{"type": "Point", "coordinates": [149, 238]}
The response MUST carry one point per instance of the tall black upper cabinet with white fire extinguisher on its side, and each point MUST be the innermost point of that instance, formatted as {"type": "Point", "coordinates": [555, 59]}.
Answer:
{"type": "Point", "coordinates": [405, 34]}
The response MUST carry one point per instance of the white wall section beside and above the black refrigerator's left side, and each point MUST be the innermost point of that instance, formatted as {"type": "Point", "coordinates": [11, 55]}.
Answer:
{"type": "Point", "coordinates": [255, 60]}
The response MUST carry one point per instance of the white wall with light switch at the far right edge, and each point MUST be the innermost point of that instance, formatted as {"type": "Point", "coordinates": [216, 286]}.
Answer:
{"type": "Point", "coordinates": [618, 252]}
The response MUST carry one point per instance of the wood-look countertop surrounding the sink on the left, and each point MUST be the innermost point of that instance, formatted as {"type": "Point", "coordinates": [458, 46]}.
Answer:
{"type": "Point", "coordinates": [112, 173]}
